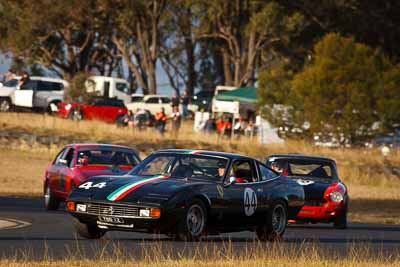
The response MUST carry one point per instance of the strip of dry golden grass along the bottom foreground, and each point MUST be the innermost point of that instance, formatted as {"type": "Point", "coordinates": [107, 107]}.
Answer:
{"type": "Point", "coordinates": [224, 255]}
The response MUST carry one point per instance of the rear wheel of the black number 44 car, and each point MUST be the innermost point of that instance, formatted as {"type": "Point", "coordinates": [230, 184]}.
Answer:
{"type": "Point", "coordinates": [275, 224]}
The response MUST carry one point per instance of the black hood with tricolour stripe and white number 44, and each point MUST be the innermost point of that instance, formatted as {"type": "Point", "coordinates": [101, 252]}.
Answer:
{"type": "Point", "coordinates": [131, 189]}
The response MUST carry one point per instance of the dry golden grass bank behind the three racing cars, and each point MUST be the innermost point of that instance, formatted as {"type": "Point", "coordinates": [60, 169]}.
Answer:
{"type": "Point", "coordinates": [373, 188]}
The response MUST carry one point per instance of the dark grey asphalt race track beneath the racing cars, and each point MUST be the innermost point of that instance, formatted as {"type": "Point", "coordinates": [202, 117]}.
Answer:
{"type": "Point", "coordinates": [51, 234]}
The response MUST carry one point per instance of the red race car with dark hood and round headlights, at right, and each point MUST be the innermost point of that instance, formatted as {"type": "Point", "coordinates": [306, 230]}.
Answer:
{"type": "Point", "coordinates": [326, 196]}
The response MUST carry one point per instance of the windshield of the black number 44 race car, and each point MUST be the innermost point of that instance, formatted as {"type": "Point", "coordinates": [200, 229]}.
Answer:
{"type": "Point", "coordinates": [182, 166]}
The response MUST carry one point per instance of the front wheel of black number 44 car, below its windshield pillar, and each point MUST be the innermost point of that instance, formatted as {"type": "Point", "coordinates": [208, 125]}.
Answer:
{"type": "Point", "coordinates": [193, 224]}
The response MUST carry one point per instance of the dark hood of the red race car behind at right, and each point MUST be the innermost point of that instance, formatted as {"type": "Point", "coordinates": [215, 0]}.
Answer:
{"type": "Point", "coordinates": [313, 188]}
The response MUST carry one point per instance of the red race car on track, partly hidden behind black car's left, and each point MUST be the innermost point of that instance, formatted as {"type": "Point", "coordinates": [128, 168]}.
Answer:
{"type": "Point", "coordinates": [76, 163]}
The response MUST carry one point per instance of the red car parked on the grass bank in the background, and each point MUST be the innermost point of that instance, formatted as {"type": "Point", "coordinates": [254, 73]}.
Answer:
{"type": "Point", "coordinates": [97, 108]}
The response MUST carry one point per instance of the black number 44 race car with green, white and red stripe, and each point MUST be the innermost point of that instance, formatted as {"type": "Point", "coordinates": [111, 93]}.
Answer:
{"type": "Point", "coordinates": [185, 194]}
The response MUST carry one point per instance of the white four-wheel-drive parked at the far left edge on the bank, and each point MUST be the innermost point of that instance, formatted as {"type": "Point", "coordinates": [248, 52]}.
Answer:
{"type": "Point", "coordinates": [40, 93]}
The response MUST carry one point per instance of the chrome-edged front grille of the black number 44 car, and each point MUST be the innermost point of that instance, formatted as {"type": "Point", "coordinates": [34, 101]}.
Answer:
{"type": "Point", "coordinates": [112, 210]}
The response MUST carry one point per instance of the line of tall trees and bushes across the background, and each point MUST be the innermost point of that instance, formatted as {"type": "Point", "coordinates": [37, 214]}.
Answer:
{"type": "Point", "coordinates": [202, 43]}
